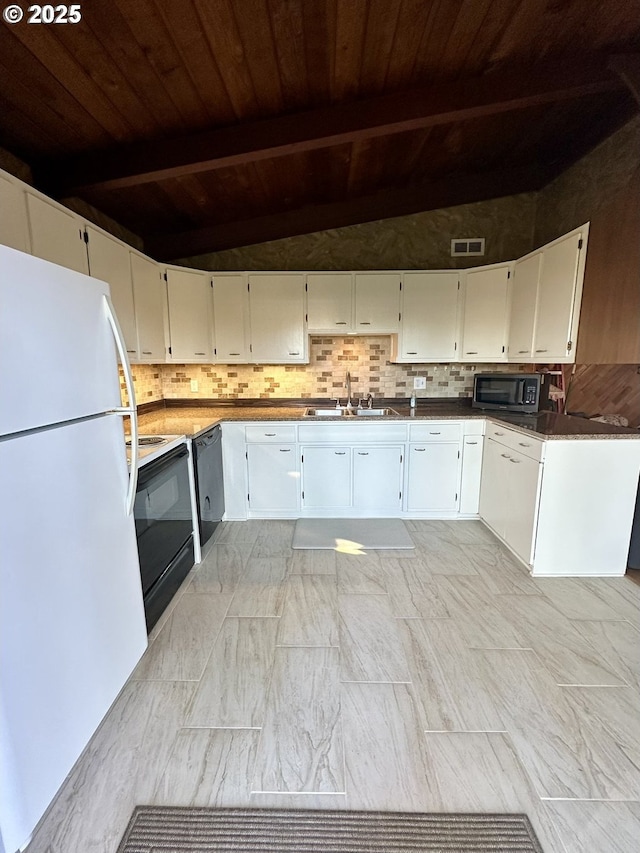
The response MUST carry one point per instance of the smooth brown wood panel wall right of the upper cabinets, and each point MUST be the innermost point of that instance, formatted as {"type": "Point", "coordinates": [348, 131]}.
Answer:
{"type": "Point", "coordinates": [610, 315]}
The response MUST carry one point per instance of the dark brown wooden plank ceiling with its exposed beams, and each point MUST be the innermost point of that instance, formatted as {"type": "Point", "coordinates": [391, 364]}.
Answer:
{"type": "Point", "coordinates": [207, 124]}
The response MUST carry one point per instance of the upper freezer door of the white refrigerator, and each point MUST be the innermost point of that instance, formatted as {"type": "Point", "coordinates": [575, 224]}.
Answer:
{"type": "Point", "coordinates": [56, 346]}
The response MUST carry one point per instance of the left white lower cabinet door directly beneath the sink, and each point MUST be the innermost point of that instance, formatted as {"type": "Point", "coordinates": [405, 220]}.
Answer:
{"type": "Point", "coordinates": [326, 477]}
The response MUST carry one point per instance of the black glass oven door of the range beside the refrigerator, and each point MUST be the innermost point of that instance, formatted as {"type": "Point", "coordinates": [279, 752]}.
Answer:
{"type": "Point", "coordinates": [162, 512]}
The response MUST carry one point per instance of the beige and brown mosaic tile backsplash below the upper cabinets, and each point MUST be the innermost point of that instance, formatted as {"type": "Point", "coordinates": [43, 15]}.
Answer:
{"type": "Point", "coordinates": [366, 358]}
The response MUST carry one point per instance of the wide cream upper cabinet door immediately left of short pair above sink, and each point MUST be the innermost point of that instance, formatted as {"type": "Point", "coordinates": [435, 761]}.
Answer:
{"type": "Point", "coordinates": [277, 314]}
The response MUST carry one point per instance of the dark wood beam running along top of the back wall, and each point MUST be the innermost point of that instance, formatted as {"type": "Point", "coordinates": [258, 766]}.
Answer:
{"type": "Point", "coordinates": [445, 192]}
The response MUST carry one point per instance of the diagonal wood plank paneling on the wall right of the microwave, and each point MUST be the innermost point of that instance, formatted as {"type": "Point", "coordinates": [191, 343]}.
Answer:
{"type": "Point", "coordinates": [603, 389]}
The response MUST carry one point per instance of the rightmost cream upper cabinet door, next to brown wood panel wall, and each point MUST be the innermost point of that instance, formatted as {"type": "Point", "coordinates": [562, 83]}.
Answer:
{"type": "Point", "coordinates": [556, 293]}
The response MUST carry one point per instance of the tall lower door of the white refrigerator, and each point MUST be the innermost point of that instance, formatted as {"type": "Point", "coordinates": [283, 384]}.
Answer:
{"type": "Point", "coordinates": [72, 624]}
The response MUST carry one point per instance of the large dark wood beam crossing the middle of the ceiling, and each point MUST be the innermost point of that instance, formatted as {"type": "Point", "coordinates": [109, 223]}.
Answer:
{"type": "Point", "coordinates": [441, 103]}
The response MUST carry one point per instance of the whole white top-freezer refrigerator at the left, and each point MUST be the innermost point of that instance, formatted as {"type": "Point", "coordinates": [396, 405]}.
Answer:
{"type": "Point", "coordinates": [72, 624]}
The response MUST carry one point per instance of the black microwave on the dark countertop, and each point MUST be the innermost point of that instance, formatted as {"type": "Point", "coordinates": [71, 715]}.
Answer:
{"type": "Point", "coordinates": [511, 392]}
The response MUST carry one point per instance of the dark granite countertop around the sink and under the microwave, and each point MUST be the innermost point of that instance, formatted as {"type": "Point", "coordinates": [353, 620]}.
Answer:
{"type": "Point", "coordinates": [191, 418]}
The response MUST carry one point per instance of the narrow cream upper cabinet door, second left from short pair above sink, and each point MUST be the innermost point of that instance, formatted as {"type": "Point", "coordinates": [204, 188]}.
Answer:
{"type": "Point", "coordinates": [231, 318]}
